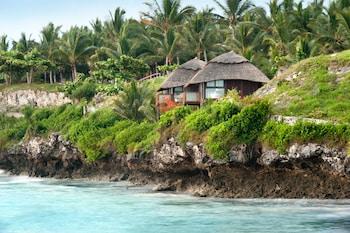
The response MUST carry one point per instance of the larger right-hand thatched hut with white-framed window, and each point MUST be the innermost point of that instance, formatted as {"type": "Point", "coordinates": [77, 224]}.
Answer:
{"type": "Point", "coordinates": [226, 72]}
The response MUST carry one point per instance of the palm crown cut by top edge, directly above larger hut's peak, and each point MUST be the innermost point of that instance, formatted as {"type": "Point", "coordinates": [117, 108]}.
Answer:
{"type": "Point", "coordinates": [234, 10]}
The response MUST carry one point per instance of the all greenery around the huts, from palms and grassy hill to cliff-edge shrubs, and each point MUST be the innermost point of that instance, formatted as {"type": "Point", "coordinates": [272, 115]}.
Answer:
{"type": "Point", "coordinates": [112, 55]}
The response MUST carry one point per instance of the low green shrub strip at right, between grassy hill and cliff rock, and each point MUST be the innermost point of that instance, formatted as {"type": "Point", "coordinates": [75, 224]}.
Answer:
{"type": "Point", "coordinates": [279, 135]}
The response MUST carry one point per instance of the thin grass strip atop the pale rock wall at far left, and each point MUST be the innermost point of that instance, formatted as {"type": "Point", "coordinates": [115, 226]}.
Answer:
{"type": "Point", "coordinates": [34, 86]}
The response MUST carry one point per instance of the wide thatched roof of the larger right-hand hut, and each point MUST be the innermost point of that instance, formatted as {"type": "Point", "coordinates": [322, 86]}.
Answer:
{"type": "Point", "coordinates": [229, 66]}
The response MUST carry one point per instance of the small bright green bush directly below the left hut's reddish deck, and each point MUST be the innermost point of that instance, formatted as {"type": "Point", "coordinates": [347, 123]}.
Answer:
{"type": "Point", "coordinates": [174, 116]}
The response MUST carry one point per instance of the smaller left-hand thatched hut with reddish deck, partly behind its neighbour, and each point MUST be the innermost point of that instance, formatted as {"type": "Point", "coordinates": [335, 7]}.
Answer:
{"type": "Point", "coordinates": [171, 93]}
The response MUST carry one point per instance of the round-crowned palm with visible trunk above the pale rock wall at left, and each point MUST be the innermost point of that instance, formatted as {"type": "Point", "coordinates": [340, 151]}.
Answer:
{"type": "Point", "coordinates": [74, 46]}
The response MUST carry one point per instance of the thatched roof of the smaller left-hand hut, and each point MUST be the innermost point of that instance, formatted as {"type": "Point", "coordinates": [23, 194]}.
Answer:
{"type": "Point", "coordinates": [183, 74]}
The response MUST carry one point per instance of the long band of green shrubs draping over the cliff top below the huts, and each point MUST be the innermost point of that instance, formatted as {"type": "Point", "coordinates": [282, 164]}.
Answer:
{"type": "Point", "coordinates": [227, 123]}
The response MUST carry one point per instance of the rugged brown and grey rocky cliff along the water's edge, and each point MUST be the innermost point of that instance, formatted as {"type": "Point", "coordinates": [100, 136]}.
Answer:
{"type": "Point", "coordinates": [306, 171]}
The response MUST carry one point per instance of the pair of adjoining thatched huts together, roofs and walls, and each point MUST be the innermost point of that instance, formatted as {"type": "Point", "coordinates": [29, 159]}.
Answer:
{"type": "Point", "coordinates": [195, 81]}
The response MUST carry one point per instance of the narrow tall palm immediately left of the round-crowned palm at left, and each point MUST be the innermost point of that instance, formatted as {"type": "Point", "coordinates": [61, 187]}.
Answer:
{"type": "Point", "coordinates": [49, 45]}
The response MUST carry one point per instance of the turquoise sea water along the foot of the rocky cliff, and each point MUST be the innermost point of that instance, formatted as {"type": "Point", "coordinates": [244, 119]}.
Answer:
{"type": "Point", "coordinates": [51, 206]}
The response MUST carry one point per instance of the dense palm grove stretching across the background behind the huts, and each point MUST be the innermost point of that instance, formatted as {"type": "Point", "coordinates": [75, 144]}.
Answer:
{"type": "Point", "coordinates": [170, 33]}
